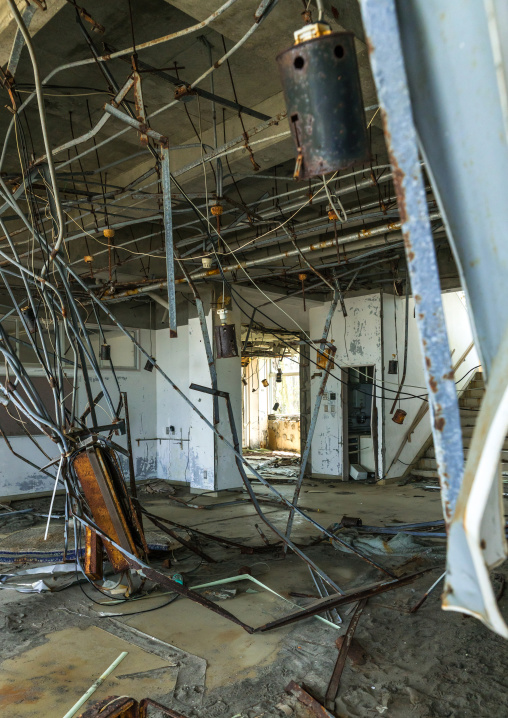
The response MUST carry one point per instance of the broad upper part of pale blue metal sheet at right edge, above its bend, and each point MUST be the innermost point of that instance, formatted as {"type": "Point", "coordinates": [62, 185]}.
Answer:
{"type": "Point", "coordinates": [455, 96]}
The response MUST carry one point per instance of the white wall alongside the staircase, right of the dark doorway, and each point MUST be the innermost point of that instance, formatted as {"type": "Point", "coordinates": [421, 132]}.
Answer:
{"type": "Point", "coordinates": [460, 337]}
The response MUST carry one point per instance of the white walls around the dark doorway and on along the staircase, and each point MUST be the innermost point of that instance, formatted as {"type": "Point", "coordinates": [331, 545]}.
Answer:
{"type": "Point", "coordinates": [373, 333]}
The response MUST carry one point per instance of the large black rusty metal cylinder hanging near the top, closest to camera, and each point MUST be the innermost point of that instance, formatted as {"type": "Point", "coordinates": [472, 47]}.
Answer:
{"type": "Point", "coordinates": [324, 101]}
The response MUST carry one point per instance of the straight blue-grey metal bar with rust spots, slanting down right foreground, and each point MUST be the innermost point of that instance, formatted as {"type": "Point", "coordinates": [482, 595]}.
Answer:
{"type": "Point", "coordinates": [383, 40]}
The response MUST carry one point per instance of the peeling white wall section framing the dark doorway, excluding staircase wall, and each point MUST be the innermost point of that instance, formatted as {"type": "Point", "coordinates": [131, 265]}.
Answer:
{"type": "Point", "coordinates": [358, 341]}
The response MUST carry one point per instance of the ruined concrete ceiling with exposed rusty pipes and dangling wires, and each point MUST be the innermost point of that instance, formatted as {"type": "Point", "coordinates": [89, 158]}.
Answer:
{"type": "Point", "coordinates": [231, 154]}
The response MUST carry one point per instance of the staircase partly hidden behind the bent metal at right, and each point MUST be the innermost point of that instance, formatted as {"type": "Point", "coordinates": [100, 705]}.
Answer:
{"type": "Point", "coordinates": [426, 465]}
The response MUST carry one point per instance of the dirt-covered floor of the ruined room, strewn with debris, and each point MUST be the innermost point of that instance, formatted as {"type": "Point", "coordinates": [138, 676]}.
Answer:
{"type": "Point", "coordinates": [426, 664]}
